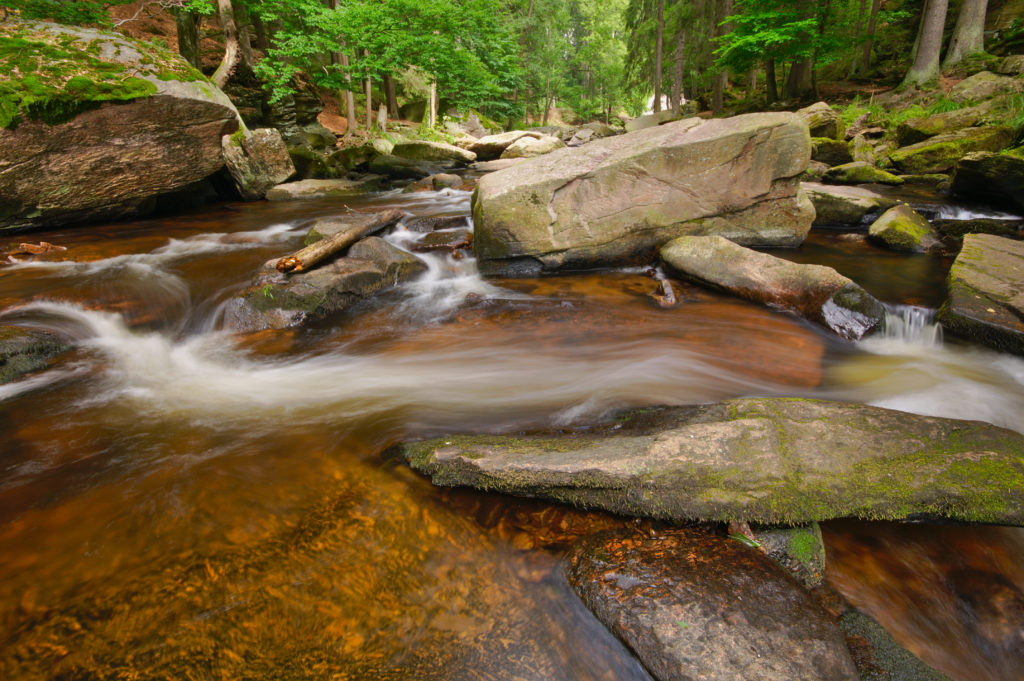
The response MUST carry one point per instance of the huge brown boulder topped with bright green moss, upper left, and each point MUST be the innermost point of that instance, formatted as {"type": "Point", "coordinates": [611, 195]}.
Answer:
{"type": "Point", "coordinates": [119, 124]}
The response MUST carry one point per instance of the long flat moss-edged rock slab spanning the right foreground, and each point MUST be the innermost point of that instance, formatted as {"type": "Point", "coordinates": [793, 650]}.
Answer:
{"type": "Point", "coordinates": [772, 461]}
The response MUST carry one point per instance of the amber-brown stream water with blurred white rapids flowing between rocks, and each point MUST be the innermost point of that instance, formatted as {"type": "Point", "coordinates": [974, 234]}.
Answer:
{"type": "Point", "coordinates": [181, 502]}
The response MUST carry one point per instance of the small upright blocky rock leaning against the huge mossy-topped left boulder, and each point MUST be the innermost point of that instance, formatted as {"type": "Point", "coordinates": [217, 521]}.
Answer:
{"type": "Point", "coordinates": [258, 161]}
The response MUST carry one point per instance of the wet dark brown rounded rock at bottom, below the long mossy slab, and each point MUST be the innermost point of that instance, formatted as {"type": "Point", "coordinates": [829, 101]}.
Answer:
{"type": "Point", "coordinates": [693, 606]}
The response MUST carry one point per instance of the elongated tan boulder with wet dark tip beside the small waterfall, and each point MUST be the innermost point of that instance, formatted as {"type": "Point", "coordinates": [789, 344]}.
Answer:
{"type": "Point", "coordinates": [816, 292]}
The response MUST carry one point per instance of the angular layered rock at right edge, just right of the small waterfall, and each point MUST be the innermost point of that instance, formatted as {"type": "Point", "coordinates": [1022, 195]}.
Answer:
{"type": "Point", "coordinates": [987, 293]}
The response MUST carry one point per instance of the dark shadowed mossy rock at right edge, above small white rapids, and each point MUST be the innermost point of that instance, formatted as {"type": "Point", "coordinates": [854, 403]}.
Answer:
{"type": "Point", "coordinates": [997, 179]}
